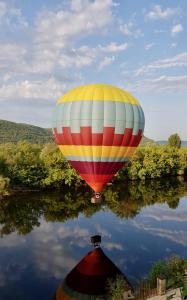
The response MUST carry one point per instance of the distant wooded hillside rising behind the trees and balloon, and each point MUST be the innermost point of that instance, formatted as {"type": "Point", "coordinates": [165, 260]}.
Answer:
{"type": "Point", "coordinates": [14, 132]}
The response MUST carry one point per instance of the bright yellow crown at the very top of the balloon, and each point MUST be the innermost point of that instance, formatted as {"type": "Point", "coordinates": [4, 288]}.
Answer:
{"type": "Point", "coordinates": [99, 92]}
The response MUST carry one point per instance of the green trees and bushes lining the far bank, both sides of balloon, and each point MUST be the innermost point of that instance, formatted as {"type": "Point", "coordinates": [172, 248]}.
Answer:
{"type": "Point", "coordinates": [26, 166]}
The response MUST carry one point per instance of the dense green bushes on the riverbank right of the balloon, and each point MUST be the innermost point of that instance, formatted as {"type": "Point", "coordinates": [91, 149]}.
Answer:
{"type": "Point", "coordinates": [155, 161]}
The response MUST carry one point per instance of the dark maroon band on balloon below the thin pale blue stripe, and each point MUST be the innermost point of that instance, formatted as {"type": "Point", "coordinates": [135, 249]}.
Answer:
{"type": "Point", "coordinates": [86, 167]}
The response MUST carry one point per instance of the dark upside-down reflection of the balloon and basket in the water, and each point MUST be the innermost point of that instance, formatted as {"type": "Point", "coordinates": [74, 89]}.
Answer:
{"type": "Point", "coordinates": [88, 279]}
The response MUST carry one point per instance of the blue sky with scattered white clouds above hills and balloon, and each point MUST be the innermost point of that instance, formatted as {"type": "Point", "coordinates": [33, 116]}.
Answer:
{"type": "Point", "coordinates": [48, 47]}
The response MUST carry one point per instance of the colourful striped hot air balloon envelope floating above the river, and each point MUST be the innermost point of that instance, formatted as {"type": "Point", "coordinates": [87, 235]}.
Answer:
{"type": "Point", "coordinates": [98, 127]}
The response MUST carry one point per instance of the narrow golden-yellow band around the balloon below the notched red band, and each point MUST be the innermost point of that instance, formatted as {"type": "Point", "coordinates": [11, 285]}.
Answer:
{"type": "Point", "coordinates": [97, 151]}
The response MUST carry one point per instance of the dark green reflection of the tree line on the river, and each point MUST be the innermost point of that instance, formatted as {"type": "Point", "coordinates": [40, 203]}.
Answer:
{"type": "Point", "coordinates": [21, 213]}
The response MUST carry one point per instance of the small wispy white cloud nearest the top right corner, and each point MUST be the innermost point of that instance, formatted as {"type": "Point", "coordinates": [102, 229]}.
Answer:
{"type": "Point", "coordinates": [157, 13]}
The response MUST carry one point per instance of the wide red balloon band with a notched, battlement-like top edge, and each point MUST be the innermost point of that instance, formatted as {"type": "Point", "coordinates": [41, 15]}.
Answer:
{"type": "Point", "coordinates": [107, 138]}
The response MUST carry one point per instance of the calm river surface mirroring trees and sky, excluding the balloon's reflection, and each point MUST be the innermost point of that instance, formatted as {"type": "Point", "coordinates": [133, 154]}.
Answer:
{"type": "Point", "coordinates": [44, 235]}
